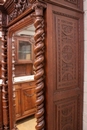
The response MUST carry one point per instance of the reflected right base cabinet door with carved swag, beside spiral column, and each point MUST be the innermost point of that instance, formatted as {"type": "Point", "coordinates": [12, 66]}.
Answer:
{"type": "Point", "coordinates": [28, 100]}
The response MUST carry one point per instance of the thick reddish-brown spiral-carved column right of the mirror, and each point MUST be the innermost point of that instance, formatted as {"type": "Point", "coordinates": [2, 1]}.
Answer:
{"type": "Point", "coordinates": [39, 64]}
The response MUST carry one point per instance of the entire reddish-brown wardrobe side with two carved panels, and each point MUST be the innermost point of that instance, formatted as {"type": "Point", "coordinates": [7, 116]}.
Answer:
{"type": "Point", "coordinates": [64, 69]}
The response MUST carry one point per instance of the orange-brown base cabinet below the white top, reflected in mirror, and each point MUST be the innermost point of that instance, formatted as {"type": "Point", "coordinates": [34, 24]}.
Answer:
{"type": "Point", "coordinates": [25, 99]}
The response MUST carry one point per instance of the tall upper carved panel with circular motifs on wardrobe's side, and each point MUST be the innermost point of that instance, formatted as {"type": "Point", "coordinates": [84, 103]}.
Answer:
{"type": "Point", "coordinates": [67, 51]}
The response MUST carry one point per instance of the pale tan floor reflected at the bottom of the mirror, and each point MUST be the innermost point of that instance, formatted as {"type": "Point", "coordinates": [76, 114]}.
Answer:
{"type": "Point", "coordinates": [27, 123]}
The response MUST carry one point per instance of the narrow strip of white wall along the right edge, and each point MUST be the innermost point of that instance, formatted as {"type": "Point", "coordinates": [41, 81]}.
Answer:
{"type": "Point", "coordinates": [85, 67]}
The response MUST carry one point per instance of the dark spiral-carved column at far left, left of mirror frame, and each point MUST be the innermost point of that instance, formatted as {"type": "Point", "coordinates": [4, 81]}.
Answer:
{"type": "Point", "coordinates": [5, 104]}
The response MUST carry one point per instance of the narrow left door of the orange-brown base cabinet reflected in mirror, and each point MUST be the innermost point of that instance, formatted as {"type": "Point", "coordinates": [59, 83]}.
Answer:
{"type": "Point", "coordinates": [18, 103]}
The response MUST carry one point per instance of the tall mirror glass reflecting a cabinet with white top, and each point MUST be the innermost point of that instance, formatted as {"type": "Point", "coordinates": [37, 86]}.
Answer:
{"type": "Point", "coordinates": [23, 77]}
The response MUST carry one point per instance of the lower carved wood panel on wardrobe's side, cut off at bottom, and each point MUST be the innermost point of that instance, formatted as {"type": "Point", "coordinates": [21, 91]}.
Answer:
{"type": "Point", "coordinates": [66, 114]}
